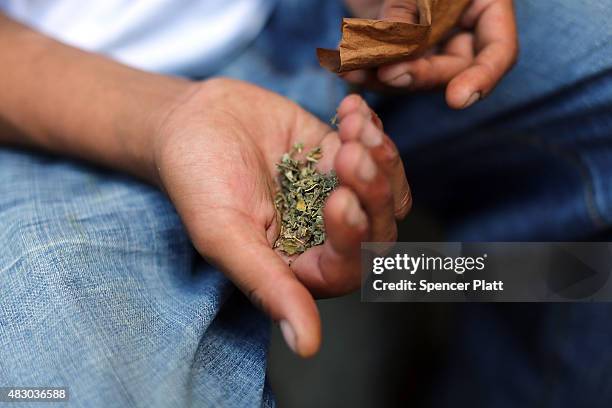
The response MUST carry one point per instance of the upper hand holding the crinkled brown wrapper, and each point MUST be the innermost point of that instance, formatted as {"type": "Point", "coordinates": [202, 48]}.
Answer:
{"type": "Point", "coordinates": [470, 63]}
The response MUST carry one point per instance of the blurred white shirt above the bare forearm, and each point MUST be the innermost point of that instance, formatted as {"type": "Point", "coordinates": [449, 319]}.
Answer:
{"type": "Point", "coordinates": [184, 37]}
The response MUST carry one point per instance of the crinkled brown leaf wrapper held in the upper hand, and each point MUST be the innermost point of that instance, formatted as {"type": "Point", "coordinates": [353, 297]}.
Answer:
{"type": "Point", "coordinates": [371, 43]}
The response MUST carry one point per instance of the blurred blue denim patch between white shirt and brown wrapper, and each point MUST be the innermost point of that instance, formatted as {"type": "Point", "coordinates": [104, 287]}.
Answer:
{"type": "Point", "coordinates": [283, 57]}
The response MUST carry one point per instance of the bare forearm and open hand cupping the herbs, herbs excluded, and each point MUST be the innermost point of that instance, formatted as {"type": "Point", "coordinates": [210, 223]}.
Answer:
{"type": "Point", "coordinates": [212, 146]}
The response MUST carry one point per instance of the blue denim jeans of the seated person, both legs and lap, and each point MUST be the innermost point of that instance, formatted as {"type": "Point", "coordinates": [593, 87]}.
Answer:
{"type": "Point", "coordinates": [101, 291]}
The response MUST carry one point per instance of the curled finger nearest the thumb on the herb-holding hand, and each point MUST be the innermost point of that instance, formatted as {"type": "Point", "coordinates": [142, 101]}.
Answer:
{"type": "Point", "coordinates": [334, 268]}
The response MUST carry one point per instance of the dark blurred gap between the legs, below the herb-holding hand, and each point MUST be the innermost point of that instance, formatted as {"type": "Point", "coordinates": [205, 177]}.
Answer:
{"type": "Point", "coordinates": [373, 354]}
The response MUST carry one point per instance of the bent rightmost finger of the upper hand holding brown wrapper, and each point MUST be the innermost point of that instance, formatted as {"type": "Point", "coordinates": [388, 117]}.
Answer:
{"type": "Point", "coordinates": [497, 49]}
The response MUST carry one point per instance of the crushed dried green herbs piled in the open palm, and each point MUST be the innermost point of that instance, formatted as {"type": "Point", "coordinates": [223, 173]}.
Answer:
{"type": "Point", "coordinates": [300, 201]}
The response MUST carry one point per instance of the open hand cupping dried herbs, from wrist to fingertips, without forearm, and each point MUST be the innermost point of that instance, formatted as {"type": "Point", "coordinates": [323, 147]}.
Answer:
{"type": "Point", "coordinates": [216, 154]}
